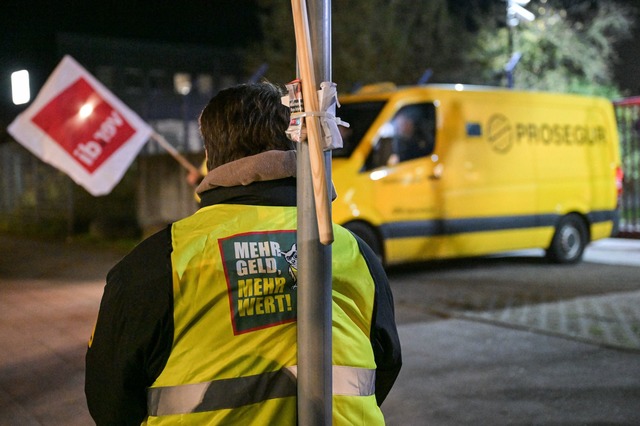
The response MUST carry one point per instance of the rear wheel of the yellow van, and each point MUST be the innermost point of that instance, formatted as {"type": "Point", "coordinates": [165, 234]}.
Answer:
{"type": "Point", "coordinates": [569, 240]}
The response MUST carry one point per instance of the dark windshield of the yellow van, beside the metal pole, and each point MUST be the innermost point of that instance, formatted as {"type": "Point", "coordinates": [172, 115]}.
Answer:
{"type": "Point", "coordinates": [360, 116]}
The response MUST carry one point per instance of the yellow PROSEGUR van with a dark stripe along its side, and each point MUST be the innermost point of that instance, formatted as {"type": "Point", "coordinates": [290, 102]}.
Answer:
{"type": "Point", "coordinates": [440, 171]}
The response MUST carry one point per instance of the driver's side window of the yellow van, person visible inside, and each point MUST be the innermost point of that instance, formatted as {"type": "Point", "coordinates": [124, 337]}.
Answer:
{"type": "Point", "coordinates": [409, 135]}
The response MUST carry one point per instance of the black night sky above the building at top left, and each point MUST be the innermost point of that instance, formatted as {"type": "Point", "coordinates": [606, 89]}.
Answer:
{"type": "Point", "coordinates": [195, 21]}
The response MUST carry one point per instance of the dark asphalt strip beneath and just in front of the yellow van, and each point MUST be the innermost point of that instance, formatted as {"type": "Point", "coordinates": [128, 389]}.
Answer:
{"type": "Point", "coordinates": [437, 290]}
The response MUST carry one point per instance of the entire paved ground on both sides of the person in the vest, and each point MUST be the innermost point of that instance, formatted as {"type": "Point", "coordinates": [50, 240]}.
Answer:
{"type": "Point", "coordinates": [497, 341]}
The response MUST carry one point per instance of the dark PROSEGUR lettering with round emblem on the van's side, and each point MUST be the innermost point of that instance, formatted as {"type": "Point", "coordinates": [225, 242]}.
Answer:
{"type": "Point", "coordinates": [502, 135]}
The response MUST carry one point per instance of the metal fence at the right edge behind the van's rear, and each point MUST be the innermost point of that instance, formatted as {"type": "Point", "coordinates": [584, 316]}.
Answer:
{"type": "Point", "coordinates": [628, 117]}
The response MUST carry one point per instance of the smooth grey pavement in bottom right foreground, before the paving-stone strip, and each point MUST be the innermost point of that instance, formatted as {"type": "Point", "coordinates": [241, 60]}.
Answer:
{"type": "Point", "coordinates": [467, 373]}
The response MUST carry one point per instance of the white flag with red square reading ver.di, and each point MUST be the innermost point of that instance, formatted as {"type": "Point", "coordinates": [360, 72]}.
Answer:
{"type": "Point", "coordinates": [78, 126]}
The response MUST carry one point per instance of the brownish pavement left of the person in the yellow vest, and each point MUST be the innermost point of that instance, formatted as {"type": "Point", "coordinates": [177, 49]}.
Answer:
{"type": "Point", "coordinates": [49, 298]}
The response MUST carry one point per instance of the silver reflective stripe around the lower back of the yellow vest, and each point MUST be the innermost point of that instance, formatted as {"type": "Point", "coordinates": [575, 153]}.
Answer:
{"type": "Point", "coordinates": [236, 392]}
